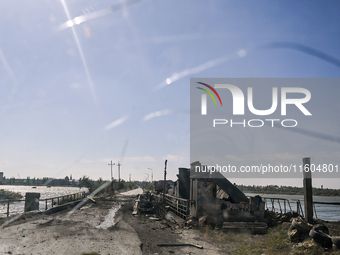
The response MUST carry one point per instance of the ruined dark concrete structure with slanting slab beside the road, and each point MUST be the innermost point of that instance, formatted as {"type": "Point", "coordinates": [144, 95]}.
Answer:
{"type": "Point", "coordinates": [214, 196]}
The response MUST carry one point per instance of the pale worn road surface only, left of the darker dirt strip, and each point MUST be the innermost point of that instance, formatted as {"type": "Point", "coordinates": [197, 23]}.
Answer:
{"type": "Point", "coordinates": [83, 231]}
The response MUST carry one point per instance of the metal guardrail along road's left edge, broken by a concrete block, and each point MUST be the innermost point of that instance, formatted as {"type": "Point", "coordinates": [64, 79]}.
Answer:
{"type": "Point", "coordinates": [49, 202]}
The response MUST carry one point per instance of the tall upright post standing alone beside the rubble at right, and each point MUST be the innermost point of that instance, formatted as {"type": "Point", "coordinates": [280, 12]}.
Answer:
{"type": "Point", "coordinates": [308, 192]}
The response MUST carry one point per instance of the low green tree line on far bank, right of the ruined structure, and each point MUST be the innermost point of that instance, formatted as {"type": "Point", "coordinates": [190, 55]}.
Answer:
{"type": "Point", "coordinates": [286, 190]}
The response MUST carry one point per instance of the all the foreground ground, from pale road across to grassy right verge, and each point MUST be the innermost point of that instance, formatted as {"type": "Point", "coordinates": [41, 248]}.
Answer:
{"type": "Point", "coordinates": [86, 230]}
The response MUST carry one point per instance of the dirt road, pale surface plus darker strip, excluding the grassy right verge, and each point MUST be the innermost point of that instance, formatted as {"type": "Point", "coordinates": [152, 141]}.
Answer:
{"type": "Point", "coordinates": [106, 227]}
